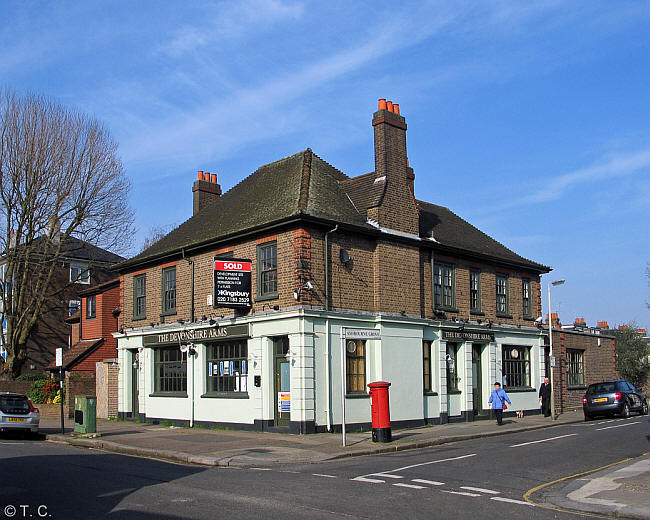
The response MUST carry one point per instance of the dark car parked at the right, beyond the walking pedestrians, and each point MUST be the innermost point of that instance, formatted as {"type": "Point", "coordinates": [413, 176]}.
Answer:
{"type": "Point", "coordinates": [613, 397]}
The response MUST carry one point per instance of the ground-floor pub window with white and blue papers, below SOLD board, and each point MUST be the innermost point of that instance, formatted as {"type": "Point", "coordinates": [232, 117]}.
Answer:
{"type": "Point", "coordinates": [227, 367]}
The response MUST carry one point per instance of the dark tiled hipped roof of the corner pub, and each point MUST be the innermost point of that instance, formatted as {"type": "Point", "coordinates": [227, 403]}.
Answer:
{"type": "Point", "coordinates": [303, 184]}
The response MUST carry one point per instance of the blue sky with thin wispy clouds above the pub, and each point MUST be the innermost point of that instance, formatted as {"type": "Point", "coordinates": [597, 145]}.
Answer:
{"type": "Point", "coordinates": [529, 119]}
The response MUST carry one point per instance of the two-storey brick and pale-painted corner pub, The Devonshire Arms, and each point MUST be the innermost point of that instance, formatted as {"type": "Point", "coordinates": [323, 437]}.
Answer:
{"type": "Point", "coordinates": [244, 314]}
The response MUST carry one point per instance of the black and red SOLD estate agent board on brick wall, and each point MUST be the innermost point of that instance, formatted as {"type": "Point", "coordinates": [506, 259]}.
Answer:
{"type": "Point", "coordinates": [232, 282]}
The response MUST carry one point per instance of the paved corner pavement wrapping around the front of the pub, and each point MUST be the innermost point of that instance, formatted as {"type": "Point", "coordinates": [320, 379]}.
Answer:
{"type": "Point", "coordinates": [247, 448]}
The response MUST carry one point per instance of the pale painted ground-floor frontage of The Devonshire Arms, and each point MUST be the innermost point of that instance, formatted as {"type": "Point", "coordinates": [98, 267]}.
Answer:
{"type": "Point", "coordinates": [281, 370]}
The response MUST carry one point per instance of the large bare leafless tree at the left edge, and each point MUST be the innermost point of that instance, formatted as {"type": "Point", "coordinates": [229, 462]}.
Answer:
{"type": "Point", "coordinates": [60, 179]}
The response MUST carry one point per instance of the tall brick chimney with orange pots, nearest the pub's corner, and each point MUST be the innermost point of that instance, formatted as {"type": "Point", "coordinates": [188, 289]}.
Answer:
{"type": "Point", "coordinates": [397, 209]}
